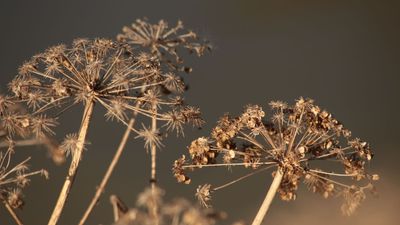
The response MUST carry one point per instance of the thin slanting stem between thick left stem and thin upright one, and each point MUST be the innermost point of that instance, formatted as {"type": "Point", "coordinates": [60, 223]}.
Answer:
{"type": "Point", "coordinates": [109, 171]}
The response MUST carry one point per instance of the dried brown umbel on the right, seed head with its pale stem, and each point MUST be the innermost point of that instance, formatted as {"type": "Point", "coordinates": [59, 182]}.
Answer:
{"type": "Point", "coordinates": [293, 141]}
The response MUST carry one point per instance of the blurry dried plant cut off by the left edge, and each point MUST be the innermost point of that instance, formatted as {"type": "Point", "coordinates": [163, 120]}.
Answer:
{"type": "Point", "coordinates": [15, 130]}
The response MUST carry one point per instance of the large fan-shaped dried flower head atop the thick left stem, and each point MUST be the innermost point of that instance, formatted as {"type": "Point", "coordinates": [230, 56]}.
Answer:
{"type": "Point", "coordinates": [90, 70]}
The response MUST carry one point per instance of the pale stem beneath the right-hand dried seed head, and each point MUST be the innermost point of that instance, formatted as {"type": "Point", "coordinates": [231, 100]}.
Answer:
{"type": "Point", "coordinates": [269, 197]}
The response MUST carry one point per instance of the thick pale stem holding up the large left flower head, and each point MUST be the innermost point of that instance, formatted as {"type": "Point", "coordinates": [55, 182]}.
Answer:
{"type": "Point", "coordinates": [76, 157]}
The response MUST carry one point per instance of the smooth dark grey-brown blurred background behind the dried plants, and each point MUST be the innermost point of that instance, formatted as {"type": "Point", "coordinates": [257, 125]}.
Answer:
{"type": "Point", "coordinates": [343, 54]}
